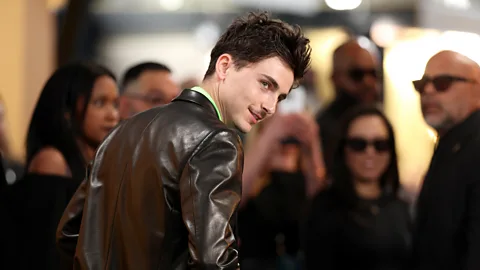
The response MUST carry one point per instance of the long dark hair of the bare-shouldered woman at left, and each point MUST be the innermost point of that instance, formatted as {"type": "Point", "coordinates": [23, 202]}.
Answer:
{"type": "Point", "coordinates": [56, 120]}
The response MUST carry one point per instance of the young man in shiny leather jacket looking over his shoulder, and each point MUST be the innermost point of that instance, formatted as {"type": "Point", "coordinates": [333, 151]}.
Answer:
{"type": "Point", "coordinates": [165, 185]}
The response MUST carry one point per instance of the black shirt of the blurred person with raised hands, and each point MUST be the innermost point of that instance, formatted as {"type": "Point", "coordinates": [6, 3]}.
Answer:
{"type": "Point", "coordinates": [272, 219]}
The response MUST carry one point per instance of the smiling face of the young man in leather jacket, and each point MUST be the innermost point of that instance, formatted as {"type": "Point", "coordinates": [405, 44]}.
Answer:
{"type": "Point", "coordinates": [253, 92]}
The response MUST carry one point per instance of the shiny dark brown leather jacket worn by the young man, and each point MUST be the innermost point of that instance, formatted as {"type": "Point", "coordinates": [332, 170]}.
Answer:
{"type": "Point", "coordinates": [162, 193]}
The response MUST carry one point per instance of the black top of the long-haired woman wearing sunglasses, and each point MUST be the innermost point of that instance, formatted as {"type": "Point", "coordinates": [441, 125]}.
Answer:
{"type": "Point", "coordinates": [375, 235]}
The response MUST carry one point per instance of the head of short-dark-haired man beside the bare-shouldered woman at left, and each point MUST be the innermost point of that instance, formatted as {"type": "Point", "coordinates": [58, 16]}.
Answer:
{"type": "Point", "coordinates": [145, 86]}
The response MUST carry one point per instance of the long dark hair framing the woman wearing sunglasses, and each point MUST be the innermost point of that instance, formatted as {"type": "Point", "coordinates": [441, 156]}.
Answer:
{"type": "Point", "coordinates": [342, 177]}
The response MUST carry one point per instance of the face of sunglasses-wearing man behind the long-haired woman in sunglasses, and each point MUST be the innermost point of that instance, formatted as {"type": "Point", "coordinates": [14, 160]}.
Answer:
{"type": "Point", "coordinates": [358, 76]}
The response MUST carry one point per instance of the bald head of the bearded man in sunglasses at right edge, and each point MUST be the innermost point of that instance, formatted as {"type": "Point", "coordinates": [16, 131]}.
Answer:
{"type": "Point", "coordinates": [449, 89]}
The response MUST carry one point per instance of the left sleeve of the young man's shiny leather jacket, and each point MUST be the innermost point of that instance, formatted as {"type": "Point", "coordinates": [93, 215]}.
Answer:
{"type": "Point", "coordinates": [69, 225]}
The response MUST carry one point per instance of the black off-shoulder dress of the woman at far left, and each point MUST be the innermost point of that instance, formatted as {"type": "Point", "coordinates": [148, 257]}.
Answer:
{"type": "Point", "coordinates": [31, 210]}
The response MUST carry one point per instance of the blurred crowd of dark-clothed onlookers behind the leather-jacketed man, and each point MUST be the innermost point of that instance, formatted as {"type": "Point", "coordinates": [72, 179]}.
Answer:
{"type": "Point", "coordinates": [320, 186]}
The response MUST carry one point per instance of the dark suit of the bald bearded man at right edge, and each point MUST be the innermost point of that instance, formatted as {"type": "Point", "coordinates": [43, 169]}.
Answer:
{"type": "Point", "coordinates": [447, 233]}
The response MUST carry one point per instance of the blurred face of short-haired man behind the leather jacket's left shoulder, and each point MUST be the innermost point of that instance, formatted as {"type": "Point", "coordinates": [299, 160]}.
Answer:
{"type": "Point", "coordinates": [152, 88]}
